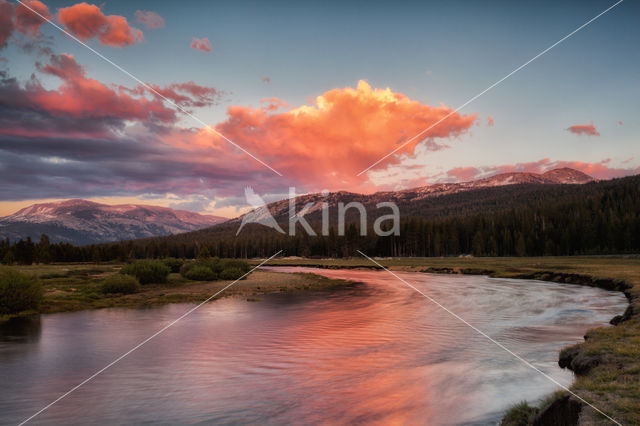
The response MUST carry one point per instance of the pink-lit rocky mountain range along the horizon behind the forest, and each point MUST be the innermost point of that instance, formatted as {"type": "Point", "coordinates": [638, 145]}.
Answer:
{"type": "Point", "coordinates": [82, 222]}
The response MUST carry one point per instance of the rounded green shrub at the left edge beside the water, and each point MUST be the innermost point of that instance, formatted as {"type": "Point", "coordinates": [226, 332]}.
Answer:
{"type": "Point", "coordinates": [18, 292]}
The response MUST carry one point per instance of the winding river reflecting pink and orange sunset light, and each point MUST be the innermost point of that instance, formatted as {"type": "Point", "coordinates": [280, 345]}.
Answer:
{"type": "Point", "coordinates": [377, 352]}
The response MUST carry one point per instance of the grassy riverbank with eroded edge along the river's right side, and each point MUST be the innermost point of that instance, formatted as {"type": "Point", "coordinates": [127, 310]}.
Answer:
{"type": "Point", "coordinates": [607, 363]}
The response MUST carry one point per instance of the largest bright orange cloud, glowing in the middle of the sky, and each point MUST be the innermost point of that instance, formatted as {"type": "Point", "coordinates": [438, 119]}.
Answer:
{"type": "Point", "coordinates": [326, 144]}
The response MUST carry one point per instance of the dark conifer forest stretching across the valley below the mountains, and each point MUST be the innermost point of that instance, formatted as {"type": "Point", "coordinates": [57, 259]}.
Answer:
{"type": "Point", "coordinates": [606, 221]}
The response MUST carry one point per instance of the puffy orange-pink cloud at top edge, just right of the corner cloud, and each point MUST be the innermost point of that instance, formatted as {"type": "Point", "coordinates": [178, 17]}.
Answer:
{"type": "Point", "coordinates": [87, 21]}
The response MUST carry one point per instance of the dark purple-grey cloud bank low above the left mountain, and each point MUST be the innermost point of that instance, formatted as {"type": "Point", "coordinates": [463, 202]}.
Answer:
{"type": "Point", "coordinates": [57, 167]}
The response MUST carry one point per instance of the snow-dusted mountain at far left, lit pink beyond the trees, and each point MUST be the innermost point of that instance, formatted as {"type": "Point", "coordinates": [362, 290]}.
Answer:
{"type": "Point", "coordinates": [82, 222]}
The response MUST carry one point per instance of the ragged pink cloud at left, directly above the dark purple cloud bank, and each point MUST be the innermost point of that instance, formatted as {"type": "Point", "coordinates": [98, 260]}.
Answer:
{"type": "Point", "coordinates": [84, 106]}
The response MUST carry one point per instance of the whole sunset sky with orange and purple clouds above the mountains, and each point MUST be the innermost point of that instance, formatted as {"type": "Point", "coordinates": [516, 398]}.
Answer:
{"type": "Point", "coordinates": [316, 91]}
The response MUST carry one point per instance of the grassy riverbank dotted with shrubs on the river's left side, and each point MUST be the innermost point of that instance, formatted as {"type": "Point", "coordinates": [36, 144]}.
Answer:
{"type": "Point", "coordinates": [74, 287]}
